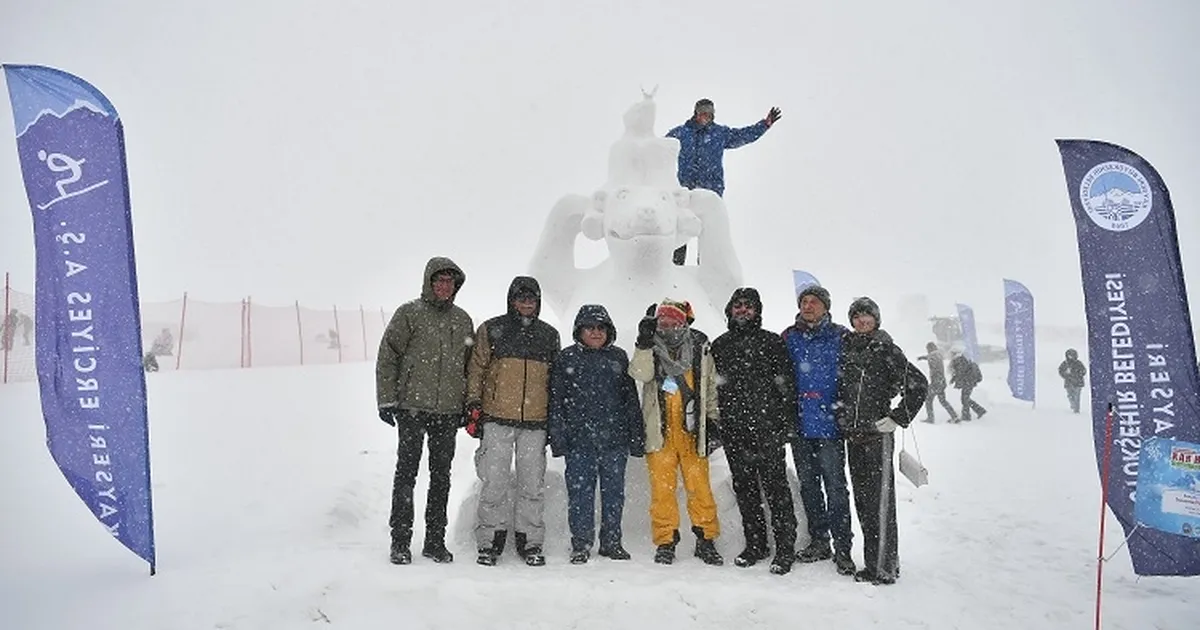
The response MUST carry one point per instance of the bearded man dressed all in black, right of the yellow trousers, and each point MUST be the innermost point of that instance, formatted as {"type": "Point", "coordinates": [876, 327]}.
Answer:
{"type": "Point", "coordinates": [757, 398]}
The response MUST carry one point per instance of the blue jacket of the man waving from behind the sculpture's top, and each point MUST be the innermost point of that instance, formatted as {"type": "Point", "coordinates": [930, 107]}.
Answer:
{"type": "Point", "coordinates": [701, 151]}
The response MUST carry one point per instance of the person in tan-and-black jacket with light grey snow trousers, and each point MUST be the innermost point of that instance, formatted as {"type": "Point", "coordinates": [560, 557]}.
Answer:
{"type": "Point", "coordinates": [508, 392]}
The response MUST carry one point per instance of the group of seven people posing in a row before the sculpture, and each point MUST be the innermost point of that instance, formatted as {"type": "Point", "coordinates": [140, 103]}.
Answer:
{"type": "Point", "coordinates": [836, 395]}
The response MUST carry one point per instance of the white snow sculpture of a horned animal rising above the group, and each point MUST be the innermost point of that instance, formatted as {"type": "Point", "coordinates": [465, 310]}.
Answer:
{"type": "Point", "coordinates": [643, 214]}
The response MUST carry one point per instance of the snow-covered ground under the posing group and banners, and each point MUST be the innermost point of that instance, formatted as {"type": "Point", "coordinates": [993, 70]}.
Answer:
{"type": "Point", "coordinates": [272, 496]}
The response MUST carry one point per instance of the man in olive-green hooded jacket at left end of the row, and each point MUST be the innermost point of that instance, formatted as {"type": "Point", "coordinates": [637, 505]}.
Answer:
{"type": "Point", "coordinates": [421, 385]}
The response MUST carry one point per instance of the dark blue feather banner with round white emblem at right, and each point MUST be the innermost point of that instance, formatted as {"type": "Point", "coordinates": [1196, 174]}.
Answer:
{"type": "Point", "coordinates": [1143, 355]}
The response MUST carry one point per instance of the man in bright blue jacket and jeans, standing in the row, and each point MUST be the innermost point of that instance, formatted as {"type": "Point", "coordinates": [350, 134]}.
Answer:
{"type": "Point", "coordinates": [820, 453]}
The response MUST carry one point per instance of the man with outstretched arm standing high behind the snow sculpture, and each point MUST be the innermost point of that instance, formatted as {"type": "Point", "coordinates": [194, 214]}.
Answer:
{"type": "Point", "coordinates": [703, 146]}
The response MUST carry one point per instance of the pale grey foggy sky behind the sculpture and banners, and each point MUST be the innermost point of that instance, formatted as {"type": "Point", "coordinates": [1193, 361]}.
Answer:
{"type": "Point", "coordinates": [322, 152]}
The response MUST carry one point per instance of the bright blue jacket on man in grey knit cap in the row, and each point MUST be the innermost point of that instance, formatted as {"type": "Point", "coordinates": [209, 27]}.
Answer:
{"type": "Point", "coordinates": [815, 352]}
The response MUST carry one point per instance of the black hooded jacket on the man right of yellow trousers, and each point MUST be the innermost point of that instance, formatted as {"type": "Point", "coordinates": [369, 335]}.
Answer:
{"type": "Point", "coordinates": [757, 381]}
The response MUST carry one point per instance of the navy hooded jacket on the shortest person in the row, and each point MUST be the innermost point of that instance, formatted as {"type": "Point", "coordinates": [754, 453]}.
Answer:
{"type": "Point", "coordinates": [593, 400]}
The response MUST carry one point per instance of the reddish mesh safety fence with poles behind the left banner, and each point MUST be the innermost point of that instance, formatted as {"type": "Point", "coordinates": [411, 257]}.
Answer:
{"type": "Point", "coordinates": [190, 334]}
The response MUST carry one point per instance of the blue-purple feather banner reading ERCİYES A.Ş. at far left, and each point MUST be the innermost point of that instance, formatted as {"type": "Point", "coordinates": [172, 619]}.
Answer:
{"type": "Point", "coordinates": [71, 147]}
